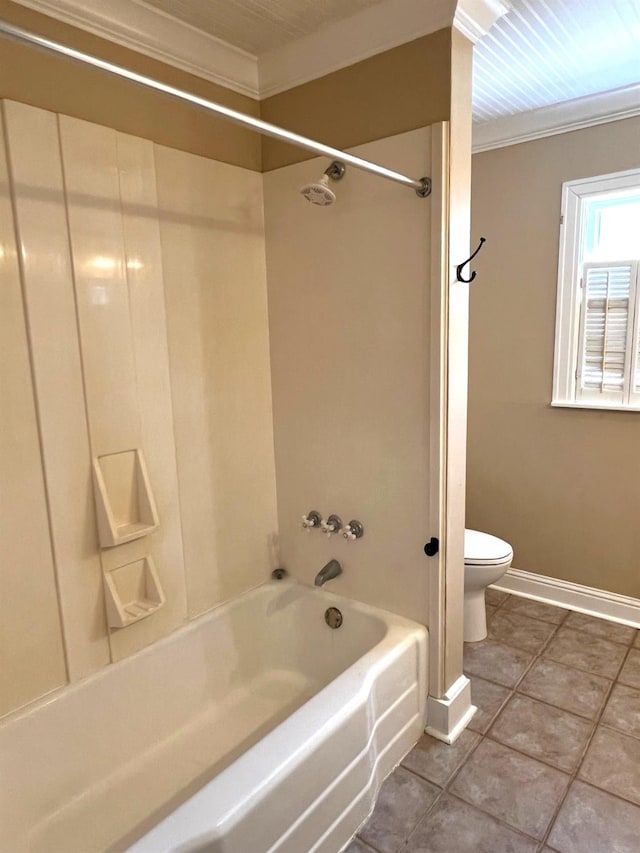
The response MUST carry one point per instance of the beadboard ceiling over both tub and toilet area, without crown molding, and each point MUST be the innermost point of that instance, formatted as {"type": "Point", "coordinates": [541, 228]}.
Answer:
{"type": "Point", "coordinates": [541, 52]}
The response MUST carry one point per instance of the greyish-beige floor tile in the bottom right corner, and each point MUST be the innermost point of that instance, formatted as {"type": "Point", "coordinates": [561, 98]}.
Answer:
{"type": "Point", "coordinates": [591, 821]}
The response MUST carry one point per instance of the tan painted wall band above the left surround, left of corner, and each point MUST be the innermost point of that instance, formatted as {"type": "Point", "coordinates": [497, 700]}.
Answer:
{"type": "Point", "coordinates": [61, 85]}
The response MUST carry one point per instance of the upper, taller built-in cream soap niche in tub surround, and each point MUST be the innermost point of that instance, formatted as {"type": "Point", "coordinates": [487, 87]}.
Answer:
{"type": "Point", "coordinates": [124, 501]}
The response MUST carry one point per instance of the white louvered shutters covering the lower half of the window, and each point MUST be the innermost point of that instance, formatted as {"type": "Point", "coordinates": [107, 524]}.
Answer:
{"type": "Point", "coordinates": [607, 326]}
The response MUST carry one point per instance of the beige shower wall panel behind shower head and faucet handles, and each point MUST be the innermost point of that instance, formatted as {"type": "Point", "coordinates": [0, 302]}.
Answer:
{"type": "Point", "coordinates": [349, 325]}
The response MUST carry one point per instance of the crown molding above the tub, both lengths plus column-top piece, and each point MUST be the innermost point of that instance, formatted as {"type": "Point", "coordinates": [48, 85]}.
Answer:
{"type": "Point", "coordinates": [147, 30]}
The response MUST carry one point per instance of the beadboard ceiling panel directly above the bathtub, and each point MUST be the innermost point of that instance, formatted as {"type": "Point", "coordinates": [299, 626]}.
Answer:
{"type": "Point", "coordinates": [259, 26]}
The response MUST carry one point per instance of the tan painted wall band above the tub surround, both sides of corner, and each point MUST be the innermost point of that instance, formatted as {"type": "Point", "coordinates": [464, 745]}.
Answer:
{"type": "Point", "coordinates": [397, 90]}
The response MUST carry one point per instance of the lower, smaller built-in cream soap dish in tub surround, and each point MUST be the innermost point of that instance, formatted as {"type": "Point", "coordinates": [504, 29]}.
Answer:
{"type": "Point", "coordinates": [133, 592]}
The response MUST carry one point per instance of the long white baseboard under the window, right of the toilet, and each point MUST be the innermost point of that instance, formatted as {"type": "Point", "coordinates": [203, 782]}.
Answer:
{"type": "Point", "coordinates": [574, 596]}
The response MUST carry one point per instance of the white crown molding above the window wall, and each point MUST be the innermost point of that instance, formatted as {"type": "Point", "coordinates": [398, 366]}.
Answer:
{"type": "Point", "coordinates": [575, 114]}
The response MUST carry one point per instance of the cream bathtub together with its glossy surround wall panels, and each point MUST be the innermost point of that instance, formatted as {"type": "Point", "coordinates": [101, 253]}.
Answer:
{"type": "Point", "coordinates": [139, 316]}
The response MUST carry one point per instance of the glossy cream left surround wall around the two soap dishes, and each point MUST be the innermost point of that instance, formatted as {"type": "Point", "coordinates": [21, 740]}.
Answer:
{"type": "Point", "coordinates": [134, 317]}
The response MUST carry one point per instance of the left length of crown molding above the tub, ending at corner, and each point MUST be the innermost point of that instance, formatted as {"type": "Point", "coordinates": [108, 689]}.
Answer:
{"type": "Point", "coordinates": [133, 24]}
